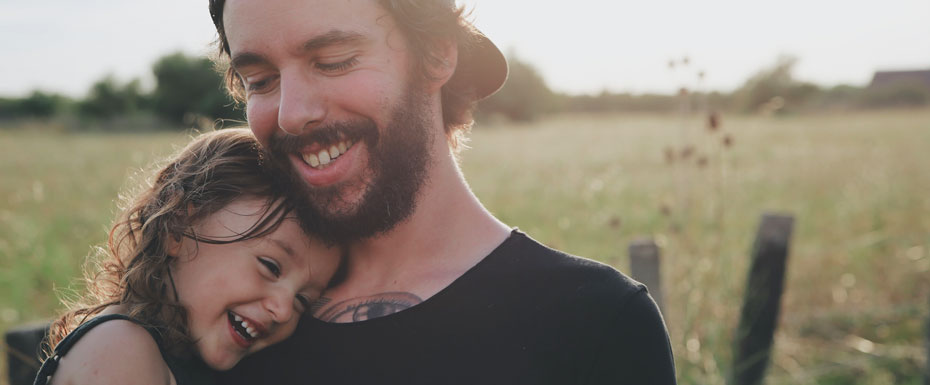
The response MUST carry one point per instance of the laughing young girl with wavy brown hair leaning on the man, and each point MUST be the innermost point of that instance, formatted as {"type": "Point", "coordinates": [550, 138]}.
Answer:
{"type": "Point", "coordinates": [206, 265]}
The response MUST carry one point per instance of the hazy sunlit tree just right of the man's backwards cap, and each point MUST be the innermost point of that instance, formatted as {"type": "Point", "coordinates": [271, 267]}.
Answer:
{"type": "Point", "coordinates": [524, 96]}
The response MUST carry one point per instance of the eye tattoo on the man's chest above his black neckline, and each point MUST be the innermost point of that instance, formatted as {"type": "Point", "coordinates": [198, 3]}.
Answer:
{"type": "Point", "coordinates": [364, 308]}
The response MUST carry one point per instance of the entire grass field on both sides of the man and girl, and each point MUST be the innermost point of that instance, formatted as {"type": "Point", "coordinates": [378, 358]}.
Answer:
{"type": "Point", "coordinates": [856, 299]}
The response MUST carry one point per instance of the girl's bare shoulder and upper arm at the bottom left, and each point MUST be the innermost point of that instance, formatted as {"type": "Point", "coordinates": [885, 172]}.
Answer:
{"type": "Point", "coordinates": [118, 351]}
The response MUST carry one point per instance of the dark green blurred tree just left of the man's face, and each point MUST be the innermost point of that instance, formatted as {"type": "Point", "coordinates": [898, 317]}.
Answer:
{"type": "Point", "coordinates": [187, 86]}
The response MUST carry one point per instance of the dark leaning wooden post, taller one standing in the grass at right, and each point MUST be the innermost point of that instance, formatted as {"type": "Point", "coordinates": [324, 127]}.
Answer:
{"type": "Point", "coordinates": [759, 316]}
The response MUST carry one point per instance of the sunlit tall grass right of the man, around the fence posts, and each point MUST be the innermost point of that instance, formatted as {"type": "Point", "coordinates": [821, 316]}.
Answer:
{"type": "Point", "coordinates": [858, 185]}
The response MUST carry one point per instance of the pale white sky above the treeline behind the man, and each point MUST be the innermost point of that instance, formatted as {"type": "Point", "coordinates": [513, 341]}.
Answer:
{"type": "Point", "coordinates": [582, 46]}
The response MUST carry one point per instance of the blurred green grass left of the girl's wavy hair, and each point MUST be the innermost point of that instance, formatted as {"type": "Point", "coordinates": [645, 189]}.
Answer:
{"type": "Point", "coordinates": [57, 198]}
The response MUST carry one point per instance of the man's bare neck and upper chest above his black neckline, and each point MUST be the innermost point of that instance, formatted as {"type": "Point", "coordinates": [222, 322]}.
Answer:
{"type": "Point", "coordinates": [448, 233]}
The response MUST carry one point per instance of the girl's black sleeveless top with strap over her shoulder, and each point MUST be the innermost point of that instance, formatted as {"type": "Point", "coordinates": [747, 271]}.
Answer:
{"type": "Point", "coordinates": [186, 372]}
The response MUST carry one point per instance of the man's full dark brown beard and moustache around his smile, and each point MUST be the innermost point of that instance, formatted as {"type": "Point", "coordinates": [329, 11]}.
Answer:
{"type": "Point", "coordinates": [398, 156]}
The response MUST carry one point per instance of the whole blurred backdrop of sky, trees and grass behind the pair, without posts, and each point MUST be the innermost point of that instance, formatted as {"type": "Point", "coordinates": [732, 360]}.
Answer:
{"type": "Point", "coordinates": [676, 122]}
